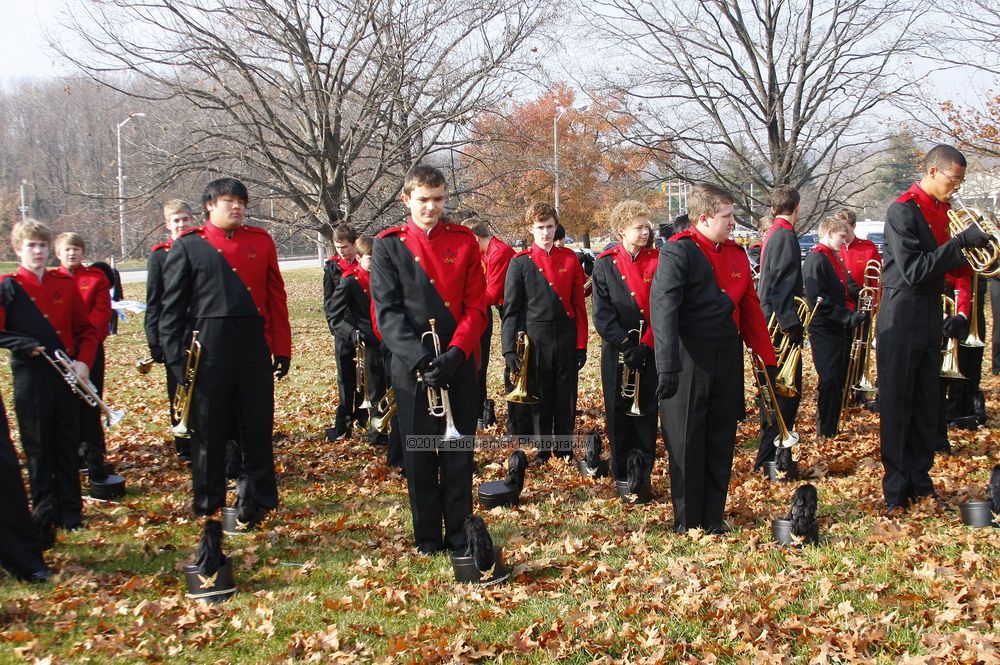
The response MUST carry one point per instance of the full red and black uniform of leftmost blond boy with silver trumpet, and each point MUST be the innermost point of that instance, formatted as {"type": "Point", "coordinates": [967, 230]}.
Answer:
{"type": "Point", "coordinates": [50, 313]}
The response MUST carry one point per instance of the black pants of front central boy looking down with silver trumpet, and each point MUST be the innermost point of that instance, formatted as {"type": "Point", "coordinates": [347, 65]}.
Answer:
{"type": "Point", "coordinates": [439, 482]}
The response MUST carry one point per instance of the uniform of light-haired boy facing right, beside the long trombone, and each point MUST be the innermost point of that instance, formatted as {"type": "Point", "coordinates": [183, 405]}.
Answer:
{"type": "Point", "coordinates": [830, 330]}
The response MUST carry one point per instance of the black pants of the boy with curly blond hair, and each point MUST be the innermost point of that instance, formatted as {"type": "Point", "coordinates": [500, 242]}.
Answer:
{"type": "Point", "coordinates": [627, 433]}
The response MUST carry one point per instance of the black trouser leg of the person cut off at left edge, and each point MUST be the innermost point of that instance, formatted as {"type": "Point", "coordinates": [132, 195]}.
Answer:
{"type": "Point", "coordinates": [19, 548]}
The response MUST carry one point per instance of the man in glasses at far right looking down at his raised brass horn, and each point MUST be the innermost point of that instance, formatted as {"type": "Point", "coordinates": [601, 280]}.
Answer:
{"type": "Point", "coordinates": [918, 252]}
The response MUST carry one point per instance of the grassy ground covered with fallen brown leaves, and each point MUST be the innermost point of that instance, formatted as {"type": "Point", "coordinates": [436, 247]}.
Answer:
{"type": "Point", "coordinates": [333, 577]}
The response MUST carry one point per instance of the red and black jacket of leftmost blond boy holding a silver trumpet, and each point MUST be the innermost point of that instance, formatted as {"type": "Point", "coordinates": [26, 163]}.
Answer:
{"type": "Point", "coordinates": [59, 303]}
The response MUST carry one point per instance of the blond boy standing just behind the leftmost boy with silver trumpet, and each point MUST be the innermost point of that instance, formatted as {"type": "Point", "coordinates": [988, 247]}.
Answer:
{"type": "Point", "coordinates": [95, 291]}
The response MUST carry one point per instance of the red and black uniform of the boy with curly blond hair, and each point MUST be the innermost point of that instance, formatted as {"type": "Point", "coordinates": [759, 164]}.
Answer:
{"type": "Point", "coordinates": [621, 288]}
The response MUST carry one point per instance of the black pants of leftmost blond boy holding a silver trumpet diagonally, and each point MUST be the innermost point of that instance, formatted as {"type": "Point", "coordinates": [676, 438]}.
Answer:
{"type": "Point", "coordinates": [48, 418]}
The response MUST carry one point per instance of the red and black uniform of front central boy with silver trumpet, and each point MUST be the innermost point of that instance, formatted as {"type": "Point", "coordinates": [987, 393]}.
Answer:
{"type": "Point", "coordinates": [418, 276]}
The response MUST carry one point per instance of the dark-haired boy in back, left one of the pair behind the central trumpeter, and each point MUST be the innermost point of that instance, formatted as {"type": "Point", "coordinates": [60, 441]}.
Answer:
{"type": "Point", "coordinates": [345, 259]}
